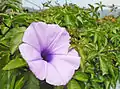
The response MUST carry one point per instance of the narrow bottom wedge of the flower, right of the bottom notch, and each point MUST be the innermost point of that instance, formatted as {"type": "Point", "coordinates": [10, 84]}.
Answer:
{"type": "Point", "coordinates": [53, 77]}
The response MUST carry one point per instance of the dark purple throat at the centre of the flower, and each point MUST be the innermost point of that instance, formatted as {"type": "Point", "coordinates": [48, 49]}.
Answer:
{"type": "Point", "coordinates": [46, 55]}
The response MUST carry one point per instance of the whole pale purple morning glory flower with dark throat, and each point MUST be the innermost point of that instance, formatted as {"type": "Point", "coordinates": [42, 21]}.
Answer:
{"type": "Point", "coordinates": [45, 48]}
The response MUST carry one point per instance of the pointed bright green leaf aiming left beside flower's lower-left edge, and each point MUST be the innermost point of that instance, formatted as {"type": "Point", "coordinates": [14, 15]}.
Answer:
{"type": "Point", "coordinates": [16, 63]}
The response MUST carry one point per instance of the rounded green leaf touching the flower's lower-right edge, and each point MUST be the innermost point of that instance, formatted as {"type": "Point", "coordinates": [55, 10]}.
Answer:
{"type": "Point", "coordinates": [81, 76]}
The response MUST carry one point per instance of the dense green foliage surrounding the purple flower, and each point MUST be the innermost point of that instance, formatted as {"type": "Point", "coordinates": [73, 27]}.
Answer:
{"type": "Point", "coordinates": [96, 39]}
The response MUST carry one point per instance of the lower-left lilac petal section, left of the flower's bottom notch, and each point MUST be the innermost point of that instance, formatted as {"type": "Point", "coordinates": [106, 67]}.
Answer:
{"type": "Point", "coordinates": [39, 68]}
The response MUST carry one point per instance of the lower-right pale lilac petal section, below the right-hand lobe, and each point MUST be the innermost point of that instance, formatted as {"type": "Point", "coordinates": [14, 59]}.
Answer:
{"type": "Point", "coordinates": [65, 69]}
